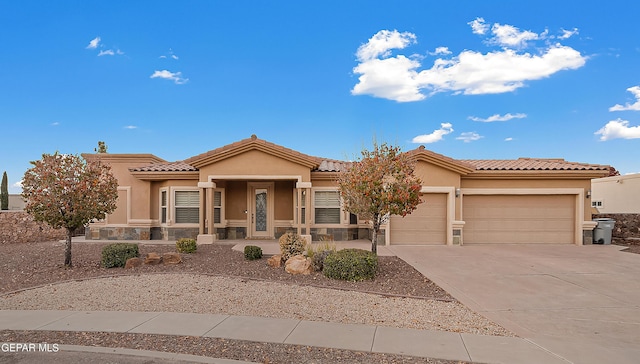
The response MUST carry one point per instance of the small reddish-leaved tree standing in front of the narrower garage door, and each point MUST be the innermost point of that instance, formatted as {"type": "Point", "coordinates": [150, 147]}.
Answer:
{"type": "Point", "coordinates": [380, 184]}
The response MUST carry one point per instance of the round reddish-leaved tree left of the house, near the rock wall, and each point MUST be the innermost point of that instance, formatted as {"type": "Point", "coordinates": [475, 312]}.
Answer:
{"type": "Point", "coordinates": [66, 191]}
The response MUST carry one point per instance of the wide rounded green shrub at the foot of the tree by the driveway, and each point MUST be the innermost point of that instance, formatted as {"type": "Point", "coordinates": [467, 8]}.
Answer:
{"type": "Point", "coordinates": [351, 265]}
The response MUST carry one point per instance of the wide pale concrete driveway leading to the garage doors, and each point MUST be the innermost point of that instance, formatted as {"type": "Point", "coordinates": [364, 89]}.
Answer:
{"type": "Point", "coordinates": [580, 302]}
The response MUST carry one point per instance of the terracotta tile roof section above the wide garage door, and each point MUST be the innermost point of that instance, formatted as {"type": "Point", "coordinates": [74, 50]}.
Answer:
{"type": "Point", "coordinates": [533, 164]}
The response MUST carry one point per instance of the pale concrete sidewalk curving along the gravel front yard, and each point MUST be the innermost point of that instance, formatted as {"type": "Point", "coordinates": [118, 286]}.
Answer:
{"type": "Point", "coordinates": [377, 339]}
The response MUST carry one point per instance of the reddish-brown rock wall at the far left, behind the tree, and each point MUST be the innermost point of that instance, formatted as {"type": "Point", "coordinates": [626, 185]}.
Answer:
{"type": "Point", "coordinates": [19, 227]}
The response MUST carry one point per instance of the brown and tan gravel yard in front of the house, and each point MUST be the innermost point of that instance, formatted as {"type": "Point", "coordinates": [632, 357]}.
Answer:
{"type": "Point", "coordinates": [217, 279]}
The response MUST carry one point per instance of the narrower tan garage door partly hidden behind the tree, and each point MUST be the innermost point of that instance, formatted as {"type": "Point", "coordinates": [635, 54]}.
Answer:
{"type": "Point", "coordinates": [425, 225]}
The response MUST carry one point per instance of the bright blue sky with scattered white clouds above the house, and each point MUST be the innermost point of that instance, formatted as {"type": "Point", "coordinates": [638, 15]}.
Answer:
{"type": "Point", "coordinates": [470, 79]}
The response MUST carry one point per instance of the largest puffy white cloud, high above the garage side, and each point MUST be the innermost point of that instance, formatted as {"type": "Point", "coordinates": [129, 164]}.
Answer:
{"type": "Point", "coordinates": [399, 78]}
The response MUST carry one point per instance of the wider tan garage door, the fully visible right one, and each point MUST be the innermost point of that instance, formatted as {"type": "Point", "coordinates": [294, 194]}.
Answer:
{"type": "Point", "coordinates": [519, 219]}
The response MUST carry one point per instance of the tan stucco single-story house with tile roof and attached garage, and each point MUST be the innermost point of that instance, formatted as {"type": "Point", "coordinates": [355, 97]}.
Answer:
{"type": "Point", "coordinates": [254, 189]}
